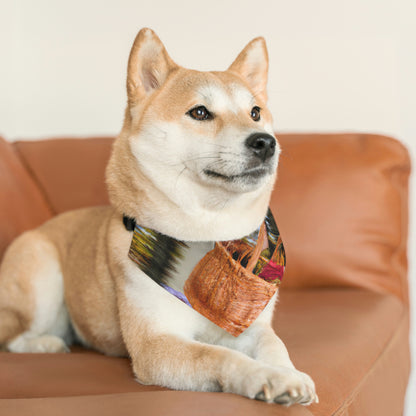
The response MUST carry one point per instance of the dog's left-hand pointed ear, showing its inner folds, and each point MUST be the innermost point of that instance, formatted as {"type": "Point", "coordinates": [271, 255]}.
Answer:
{"type": "Point", "coordinates": [149, 65]}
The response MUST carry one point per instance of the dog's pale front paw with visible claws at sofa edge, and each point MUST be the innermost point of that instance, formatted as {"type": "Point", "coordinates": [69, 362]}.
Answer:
{"type": "Point", "coordinates": [281, 385]}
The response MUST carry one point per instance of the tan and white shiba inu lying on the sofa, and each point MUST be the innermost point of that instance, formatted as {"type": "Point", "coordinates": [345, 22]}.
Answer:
{"type": "Point", "coordinates": [196, 160]}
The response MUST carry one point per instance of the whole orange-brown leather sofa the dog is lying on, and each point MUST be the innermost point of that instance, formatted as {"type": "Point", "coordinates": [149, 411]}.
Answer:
{"type": "Point", "coordinates": [341, 205]}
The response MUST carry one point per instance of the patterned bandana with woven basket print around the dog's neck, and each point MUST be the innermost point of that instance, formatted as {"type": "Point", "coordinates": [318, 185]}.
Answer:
{"type": "Point", "coordinates": [230, 284]}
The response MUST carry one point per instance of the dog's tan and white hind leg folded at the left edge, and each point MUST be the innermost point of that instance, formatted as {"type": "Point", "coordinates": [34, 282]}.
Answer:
{"type": "Point", "coordinates": [33, 317]}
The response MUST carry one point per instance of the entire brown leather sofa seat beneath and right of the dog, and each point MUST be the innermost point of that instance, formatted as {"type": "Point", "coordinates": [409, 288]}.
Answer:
{"type": "Point", "coordinates": [340, 337]}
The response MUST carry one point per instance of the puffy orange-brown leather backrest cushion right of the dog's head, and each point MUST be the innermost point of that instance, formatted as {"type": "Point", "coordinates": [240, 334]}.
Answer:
{"type": "Point", "coordinates": [341, 207]}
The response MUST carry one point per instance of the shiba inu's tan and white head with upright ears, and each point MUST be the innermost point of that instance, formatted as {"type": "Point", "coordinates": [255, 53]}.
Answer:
{"type": "Point", "coordinates": [202, 141]}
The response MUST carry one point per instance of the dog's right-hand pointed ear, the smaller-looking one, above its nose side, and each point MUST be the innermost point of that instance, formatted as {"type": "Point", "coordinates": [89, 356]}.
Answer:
{"type": "Point", "coordinates": [252, 64]}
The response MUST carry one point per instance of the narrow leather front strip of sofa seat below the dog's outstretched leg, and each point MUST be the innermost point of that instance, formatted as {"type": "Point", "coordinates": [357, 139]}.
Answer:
{"type": "Point", "coordinates": [148, 404]}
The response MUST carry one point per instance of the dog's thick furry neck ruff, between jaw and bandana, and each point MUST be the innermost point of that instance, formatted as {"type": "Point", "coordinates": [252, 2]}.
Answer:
{"type": "Point", "coordinates": [216, 215]}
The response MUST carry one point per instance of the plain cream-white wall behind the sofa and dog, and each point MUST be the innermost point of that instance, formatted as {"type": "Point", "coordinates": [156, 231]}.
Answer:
{"type": "Point", "coordinates": [335, 65]}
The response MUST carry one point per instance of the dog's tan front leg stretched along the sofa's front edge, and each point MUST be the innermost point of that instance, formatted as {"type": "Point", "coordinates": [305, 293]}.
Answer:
{"type": "Point", "coordinates": [176, 362]}
